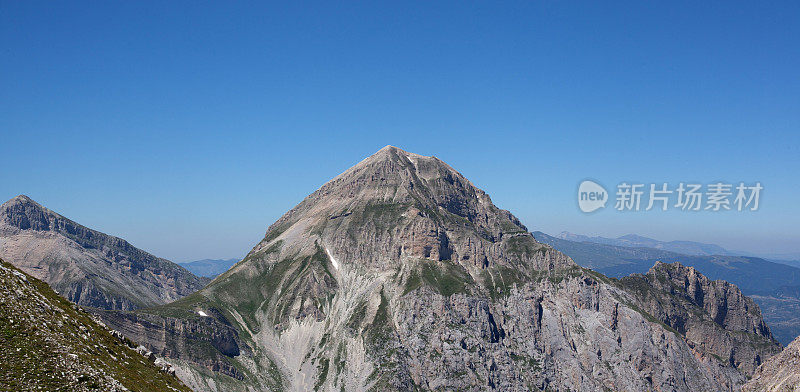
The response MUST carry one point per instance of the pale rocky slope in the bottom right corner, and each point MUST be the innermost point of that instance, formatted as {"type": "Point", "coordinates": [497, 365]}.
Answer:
{"type": "Point", "coordinates": [780, 373]}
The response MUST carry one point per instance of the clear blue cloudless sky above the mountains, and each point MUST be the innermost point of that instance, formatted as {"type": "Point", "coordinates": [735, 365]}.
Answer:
{"type": "Point", "coordinates": [188, 127]}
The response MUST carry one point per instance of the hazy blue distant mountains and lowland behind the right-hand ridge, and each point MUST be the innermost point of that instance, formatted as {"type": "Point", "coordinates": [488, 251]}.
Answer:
{"type": "Point", "coordinates": [774, 286]}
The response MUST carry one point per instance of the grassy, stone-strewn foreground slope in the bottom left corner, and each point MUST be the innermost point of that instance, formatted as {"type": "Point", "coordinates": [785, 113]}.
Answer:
{"type": "Point", "coordinates": [49, 344]}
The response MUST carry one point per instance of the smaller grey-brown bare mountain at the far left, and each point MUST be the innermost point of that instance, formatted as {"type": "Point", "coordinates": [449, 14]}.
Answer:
{"type": "Point", "coordinates": [86, 266]}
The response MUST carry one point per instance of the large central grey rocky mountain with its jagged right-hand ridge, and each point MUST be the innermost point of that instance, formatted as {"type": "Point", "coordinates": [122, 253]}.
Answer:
{"type": "Point", "coordinates": [399, 274]}
